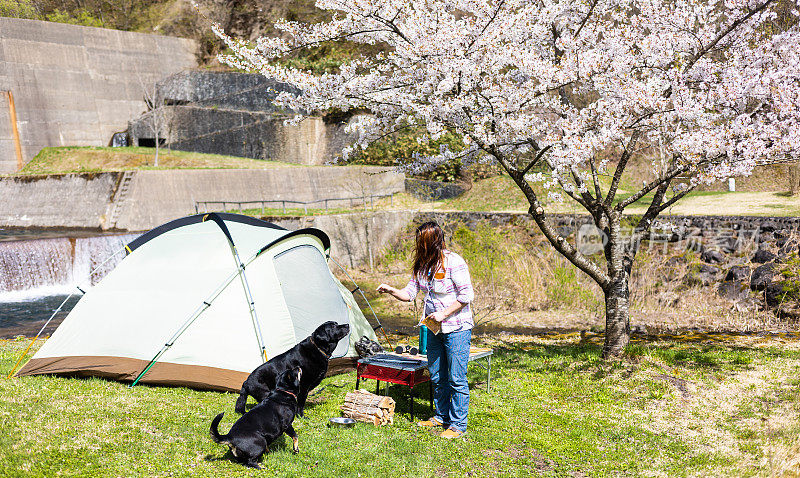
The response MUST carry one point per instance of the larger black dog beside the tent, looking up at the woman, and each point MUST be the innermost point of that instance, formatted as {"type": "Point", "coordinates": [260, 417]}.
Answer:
{"type": "Point", "coordinates": [311, 354]}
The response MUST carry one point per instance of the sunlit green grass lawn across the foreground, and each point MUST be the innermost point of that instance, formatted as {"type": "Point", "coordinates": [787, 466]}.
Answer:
{"type": "Point", "coordinates": [672, 408]}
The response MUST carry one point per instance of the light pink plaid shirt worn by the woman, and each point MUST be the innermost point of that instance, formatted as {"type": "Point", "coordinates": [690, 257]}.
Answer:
{"type": "Point", "coordinates": [442, 293]}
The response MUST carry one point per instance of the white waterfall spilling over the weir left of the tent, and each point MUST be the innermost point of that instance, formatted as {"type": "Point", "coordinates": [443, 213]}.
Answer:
{"type": "Point", "coordinates": [36, 268]}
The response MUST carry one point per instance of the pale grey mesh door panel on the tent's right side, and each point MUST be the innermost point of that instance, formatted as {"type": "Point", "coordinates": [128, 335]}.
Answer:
{"type": "Point", "coordinates": [310, 292]}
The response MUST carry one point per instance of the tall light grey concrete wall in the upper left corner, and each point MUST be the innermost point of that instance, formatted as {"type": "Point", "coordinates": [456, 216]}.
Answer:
{"type": "Point", "coordinates": [75, 85]}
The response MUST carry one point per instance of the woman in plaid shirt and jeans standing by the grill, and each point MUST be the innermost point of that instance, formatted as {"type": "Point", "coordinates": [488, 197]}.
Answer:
{"type": "Point", "coordinates": [444, 278]}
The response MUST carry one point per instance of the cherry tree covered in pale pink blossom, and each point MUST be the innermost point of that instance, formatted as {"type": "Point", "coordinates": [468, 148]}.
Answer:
{"type": "Point", "coordinates": [572, 89]}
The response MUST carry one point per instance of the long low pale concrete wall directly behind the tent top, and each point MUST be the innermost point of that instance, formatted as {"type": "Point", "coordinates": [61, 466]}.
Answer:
{"type": "Point", "coordinates": [142, 200]}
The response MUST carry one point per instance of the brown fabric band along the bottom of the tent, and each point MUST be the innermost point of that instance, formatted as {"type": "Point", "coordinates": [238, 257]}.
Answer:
{"type": "Point", "coordinates": [126, 370]}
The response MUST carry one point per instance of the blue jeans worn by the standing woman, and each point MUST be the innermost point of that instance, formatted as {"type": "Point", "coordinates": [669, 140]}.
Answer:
{"type": "Point", "coordinates": [448, 355]}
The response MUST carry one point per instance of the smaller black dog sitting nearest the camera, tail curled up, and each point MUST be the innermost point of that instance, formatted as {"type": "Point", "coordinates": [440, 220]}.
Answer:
{"type": "Point", "coordinates": [250, 436]}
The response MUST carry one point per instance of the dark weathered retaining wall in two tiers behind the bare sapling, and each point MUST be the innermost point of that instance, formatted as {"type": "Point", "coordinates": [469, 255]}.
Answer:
{"type": "Point", "coordinates": [234, 114]}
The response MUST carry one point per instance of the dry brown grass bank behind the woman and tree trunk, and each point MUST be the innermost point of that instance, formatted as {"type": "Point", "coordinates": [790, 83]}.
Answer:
{"type": "Point", "coordinates": [521, 282]}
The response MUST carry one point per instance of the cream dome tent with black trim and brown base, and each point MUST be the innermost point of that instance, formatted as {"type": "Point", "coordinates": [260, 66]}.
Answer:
{"type": "Point", "coordinates": [202, 301]}
